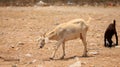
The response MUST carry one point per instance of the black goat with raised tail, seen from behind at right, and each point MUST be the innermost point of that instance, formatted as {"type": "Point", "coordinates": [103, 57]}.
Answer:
{"type": "Point", "coordinates": [110, 31]}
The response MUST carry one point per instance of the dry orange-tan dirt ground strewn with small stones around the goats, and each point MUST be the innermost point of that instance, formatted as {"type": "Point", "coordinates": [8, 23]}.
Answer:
{"type": "Point", "coordinates": [20, 27]}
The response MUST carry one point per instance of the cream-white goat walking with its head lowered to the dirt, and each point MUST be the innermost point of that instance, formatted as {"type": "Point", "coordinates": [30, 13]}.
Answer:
{"type": "Point", "coordinates": [64, 32]}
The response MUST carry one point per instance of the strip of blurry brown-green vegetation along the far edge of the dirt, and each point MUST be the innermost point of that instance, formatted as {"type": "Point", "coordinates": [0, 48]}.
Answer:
{"type": "Point", "coordinates": [60, 2]}
